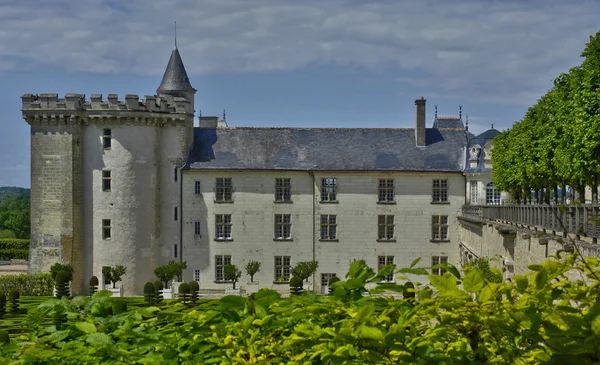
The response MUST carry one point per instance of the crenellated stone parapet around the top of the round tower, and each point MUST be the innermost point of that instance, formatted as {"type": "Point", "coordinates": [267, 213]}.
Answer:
{"type": "Point", "coordinates": [75, 108]}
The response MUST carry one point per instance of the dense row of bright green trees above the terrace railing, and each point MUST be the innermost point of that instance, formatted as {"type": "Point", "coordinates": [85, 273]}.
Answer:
{"type": "Point", "coordinates": [557, 143]}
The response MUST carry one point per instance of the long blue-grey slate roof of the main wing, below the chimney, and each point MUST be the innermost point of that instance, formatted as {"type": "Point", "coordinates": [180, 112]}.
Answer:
{"type": "Point", "coordinates": [321, 149]}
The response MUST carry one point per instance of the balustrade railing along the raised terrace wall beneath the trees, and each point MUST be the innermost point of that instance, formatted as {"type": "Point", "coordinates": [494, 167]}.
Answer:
{"type": "Point", "coordinates": [579, 219]}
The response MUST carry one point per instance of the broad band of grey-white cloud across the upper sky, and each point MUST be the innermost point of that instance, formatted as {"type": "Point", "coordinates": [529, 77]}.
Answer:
{"type": "Point", "coordinates": [492, 51]}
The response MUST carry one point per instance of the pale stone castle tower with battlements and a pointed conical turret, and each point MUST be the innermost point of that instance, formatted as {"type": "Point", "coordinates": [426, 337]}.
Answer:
{"type": "Point", "coordinates": [105, 178]}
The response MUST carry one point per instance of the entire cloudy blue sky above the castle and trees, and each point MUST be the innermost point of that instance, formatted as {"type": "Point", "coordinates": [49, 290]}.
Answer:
{"type": "Point", "coordinates": [309, 63]}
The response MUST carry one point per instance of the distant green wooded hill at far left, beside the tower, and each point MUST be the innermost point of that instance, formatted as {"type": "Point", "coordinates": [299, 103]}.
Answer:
{"type": "Point", "coordinates": [14, 212]}
